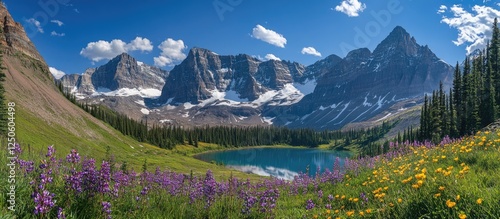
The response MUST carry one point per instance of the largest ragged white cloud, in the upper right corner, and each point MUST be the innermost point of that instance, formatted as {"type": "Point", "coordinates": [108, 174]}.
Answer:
{"type": "Point", "coordinates": [474, 29]}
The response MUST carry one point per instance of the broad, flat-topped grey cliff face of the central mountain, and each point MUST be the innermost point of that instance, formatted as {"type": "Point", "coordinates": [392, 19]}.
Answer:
{"type": "Point", "coordinates": [204, 73]}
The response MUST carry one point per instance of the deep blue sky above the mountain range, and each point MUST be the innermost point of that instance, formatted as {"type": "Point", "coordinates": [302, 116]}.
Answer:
{"type": "Point", "coordinates": [73, 35]}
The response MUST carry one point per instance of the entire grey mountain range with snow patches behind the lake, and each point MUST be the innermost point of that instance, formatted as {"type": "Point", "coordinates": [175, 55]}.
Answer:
{"type": "Point", "coordinates": [360, 90]}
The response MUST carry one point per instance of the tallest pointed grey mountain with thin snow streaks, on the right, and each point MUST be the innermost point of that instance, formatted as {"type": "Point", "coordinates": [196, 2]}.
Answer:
{"type": "Point", "coordinates": [364, 84]}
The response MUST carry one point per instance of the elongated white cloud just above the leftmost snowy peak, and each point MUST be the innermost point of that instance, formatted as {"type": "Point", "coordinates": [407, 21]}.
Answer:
{"type": "Point", "coordinates": [102, 50]}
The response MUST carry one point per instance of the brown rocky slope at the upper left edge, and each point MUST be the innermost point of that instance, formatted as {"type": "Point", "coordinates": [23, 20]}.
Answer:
{"type": "Point", "coordinates": [12, 35]}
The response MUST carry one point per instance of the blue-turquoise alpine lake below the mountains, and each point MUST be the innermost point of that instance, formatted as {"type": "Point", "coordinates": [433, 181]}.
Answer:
{"type": "Point", "coordinates": [284, 163]}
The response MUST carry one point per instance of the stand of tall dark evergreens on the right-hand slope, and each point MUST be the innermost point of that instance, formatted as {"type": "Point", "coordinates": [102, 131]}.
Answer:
{"type": "Point", "coordinates": [472, 102]}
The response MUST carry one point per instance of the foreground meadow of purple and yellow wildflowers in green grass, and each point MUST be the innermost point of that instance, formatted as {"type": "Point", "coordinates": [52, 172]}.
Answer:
{"type": "Point", "coordinates": [457, 179]}
